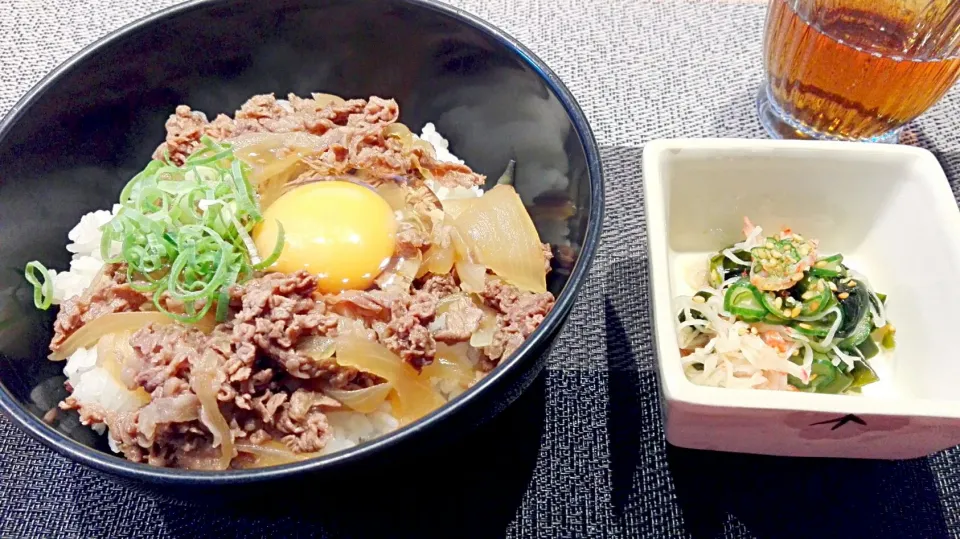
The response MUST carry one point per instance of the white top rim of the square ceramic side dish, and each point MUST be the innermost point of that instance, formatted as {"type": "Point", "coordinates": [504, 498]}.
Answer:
{"type": "Point", "coordinates": [675, 386]}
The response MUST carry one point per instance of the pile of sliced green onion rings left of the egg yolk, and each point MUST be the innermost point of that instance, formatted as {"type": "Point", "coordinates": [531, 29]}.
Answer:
{"type": "Point", "coordinates": [175, 249]}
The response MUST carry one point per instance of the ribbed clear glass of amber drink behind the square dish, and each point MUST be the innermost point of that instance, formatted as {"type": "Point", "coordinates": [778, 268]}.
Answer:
{"type": "Point", "coordinates": [855, 69]}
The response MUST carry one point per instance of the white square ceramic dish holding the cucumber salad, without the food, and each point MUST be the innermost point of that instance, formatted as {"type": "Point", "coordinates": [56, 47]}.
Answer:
{"type": "Point", "coordinates": [890, 211]}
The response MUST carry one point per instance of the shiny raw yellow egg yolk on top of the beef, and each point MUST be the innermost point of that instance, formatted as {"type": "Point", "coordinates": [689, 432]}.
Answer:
{"type": "Point", "coordinates": [343, 233]}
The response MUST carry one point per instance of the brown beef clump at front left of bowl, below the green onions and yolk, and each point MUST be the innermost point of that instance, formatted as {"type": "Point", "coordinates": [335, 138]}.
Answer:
{"type": "Point", "coordinates": [259, 372]}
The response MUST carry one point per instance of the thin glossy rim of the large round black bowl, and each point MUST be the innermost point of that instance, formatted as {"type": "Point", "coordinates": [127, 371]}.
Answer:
{"type": "Point", "coordinates": [552, 323]}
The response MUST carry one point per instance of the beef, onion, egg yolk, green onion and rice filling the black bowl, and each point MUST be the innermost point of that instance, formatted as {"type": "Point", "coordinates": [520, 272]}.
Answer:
{"type": "Point", "coordinates": [289, 282]}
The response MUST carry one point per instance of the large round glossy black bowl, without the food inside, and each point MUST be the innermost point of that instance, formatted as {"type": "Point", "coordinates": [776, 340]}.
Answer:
{"type": "Point", "coordinates": [70, 145]}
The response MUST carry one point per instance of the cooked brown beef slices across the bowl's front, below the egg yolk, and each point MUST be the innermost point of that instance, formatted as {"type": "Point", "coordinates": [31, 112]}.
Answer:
{"type": "Point", "coordinates": [268, 389]}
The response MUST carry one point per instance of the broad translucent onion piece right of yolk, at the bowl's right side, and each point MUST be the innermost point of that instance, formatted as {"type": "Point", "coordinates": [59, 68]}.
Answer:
{"type": "Point", "coordinates": [500, 234]}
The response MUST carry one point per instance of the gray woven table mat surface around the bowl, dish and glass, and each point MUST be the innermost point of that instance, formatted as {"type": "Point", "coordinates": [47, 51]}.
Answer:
{"type": "Point", "coordinates": [587, 442]}
